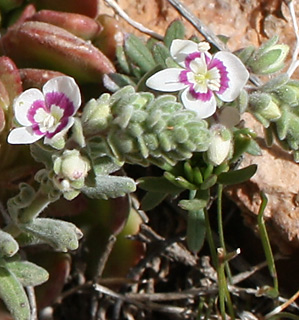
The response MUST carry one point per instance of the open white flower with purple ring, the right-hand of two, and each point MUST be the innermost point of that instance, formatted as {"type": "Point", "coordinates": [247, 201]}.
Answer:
{"type": "Point", "coordinates": [201, 77]}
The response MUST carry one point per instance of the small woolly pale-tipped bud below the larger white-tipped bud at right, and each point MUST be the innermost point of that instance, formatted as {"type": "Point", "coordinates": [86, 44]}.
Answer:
{"type": "Point", "coordinates": [264, 106]}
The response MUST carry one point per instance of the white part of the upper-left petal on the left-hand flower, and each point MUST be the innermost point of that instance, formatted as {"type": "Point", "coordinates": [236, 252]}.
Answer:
{"type": "Point", "coordinates": [23, 103]}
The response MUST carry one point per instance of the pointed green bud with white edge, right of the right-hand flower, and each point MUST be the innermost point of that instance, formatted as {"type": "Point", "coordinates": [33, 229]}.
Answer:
{"type": "Point", "coordinates": [269, 58]}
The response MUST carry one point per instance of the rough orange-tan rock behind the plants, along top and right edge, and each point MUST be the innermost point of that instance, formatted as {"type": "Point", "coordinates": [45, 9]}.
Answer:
{"type": "Point", "coordinates": [244, 22]}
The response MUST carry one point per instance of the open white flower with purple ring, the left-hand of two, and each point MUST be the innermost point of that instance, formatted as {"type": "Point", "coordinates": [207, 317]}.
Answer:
{"type": "Point", "coordinates": [46, 114]}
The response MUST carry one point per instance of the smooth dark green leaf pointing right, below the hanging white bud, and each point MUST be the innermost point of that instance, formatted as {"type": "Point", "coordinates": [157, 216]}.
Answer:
{"type": "Point", "coordinates": [237, 176]}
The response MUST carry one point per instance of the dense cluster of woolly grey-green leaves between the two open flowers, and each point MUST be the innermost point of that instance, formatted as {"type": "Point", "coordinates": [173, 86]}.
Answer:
{"type": "Point", "coordinates": [137, 128]}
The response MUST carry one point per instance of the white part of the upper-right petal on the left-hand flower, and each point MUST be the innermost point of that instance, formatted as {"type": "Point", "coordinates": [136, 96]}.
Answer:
{"type": "Point", "coordinates": [66, 85]}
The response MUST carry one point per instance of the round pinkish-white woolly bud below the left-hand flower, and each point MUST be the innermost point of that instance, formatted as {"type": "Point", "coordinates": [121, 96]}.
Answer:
{"type": "Point", "coordinates": [70, 171]}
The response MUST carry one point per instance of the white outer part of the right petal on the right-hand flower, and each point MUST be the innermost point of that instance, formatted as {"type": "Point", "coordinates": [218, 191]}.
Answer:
{"type": "Point", "coordinates": [237, 74]}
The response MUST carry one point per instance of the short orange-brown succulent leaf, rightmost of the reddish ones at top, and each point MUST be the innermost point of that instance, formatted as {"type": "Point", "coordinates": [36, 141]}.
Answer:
{"type": "Point", "coordinates": [110, 37]}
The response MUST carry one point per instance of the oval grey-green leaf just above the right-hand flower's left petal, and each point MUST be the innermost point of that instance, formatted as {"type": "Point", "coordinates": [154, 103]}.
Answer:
{"type": "Point", "coordinates": [138, 53]}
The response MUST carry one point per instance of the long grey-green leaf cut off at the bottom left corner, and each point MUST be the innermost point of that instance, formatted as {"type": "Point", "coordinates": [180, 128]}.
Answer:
{"type": "Point", "coordinates": [13, 295]}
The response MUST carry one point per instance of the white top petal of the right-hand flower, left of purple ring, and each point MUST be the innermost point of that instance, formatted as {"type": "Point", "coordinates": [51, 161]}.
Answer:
{"type": "Point", "coordinates": [179, 49]}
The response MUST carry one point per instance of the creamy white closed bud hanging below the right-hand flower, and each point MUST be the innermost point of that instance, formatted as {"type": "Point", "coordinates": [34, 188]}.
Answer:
{"type": "Point", "coordinates": [220, 147]}
